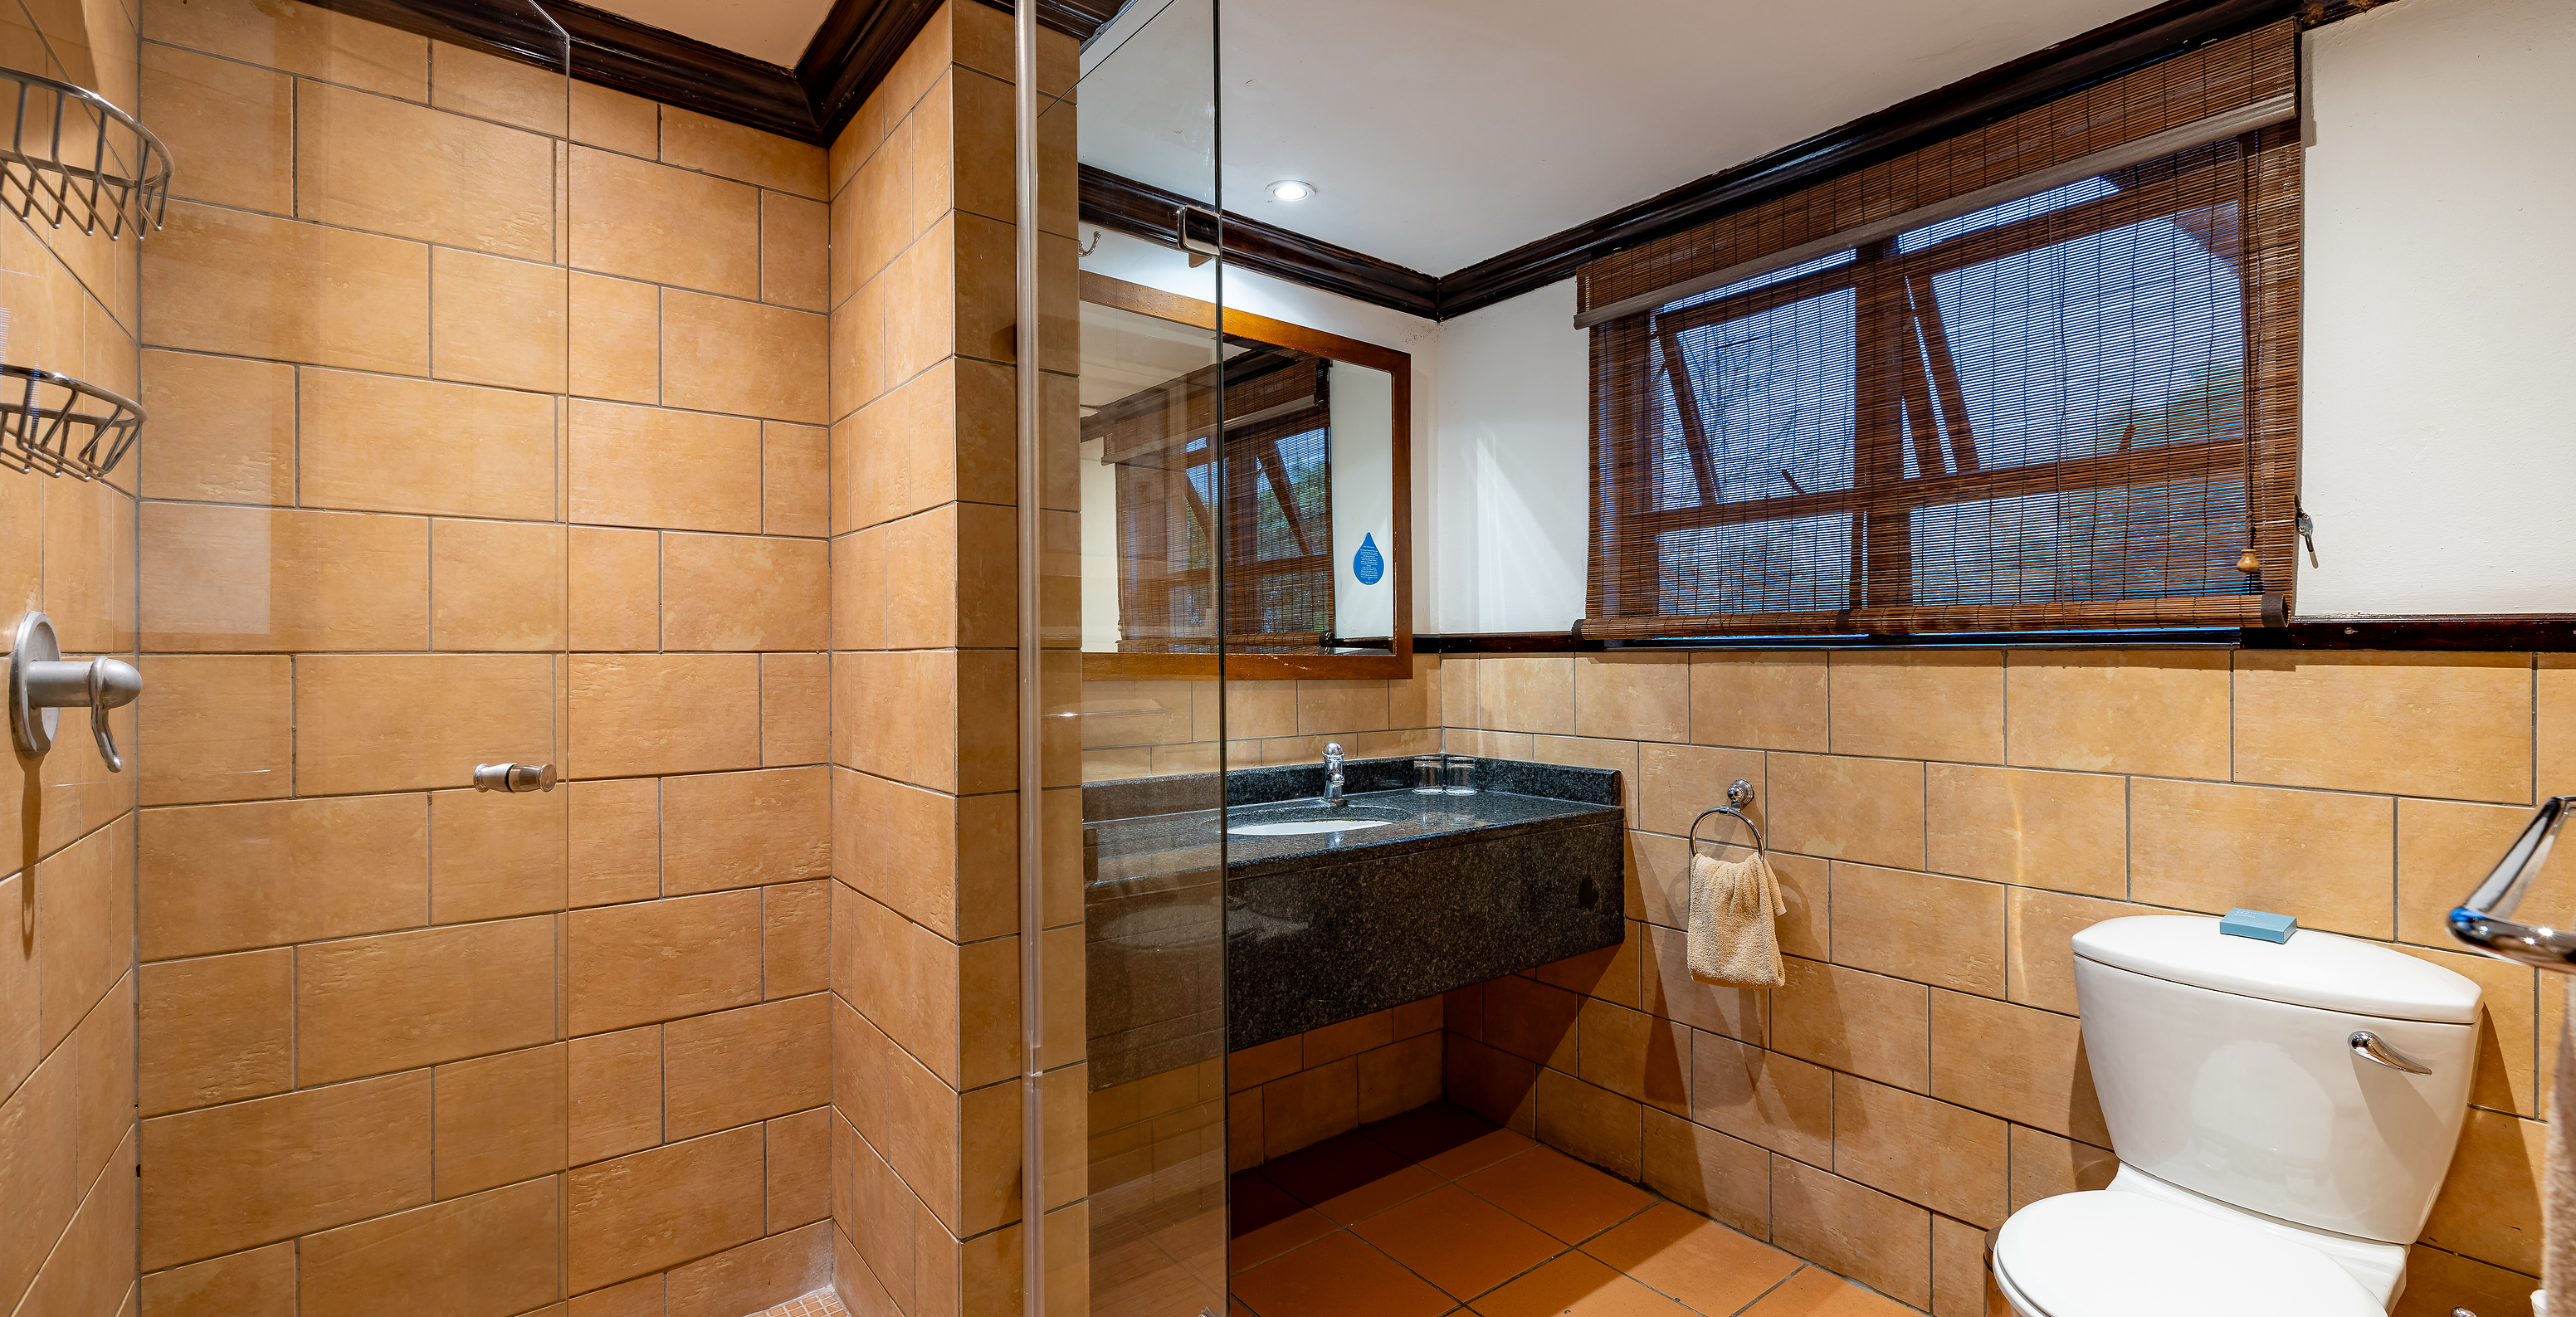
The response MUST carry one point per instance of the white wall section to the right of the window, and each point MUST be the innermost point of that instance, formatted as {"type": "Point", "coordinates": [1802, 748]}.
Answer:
{"type": "Point", "coordinates": [2441, 354]}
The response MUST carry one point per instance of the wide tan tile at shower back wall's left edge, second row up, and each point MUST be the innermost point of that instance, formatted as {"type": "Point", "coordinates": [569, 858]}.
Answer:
{"type": "Point", "coordinates": [272, 1169]}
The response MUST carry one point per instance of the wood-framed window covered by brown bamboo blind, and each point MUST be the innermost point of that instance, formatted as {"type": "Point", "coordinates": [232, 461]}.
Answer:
{"type": "Point", "coordinates": [2034, 378]}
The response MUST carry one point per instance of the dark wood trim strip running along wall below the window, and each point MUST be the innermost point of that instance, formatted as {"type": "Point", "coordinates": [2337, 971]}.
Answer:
{"type": "Point", "coordinates": [2467, 633]}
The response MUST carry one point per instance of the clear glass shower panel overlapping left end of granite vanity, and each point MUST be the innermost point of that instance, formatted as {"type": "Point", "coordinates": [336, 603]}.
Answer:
{"type": "Point", "coordinates": [1150, 705]}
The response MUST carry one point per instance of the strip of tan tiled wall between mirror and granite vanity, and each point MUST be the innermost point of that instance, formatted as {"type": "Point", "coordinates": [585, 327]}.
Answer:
{"type": "Point", "coordinates": [1163, 728]}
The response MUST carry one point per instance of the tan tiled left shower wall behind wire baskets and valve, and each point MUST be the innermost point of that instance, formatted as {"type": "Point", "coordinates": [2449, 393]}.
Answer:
{"type": "Point", "coordinates": [66, 885]}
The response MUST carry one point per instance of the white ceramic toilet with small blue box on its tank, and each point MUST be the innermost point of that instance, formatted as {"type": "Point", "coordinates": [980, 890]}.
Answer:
{"type": "Point", "coordinates": [2268, 1166]}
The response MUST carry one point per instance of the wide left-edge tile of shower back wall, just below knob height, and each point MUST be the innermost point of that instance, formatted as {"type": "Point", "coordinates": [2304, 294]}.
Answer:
{"type": "Point", "coordinates": [225, 878]}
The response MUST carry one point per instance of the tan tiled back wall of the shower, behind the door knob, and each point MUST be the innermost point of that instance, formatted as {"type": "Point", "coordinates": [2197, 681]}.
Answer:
{"type": "Point", "coordinates": [486, 427]}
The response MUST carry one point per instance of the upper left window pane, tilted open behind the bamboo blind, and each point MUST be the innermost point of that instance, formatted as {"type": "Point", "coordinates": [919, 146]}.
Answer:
{"type": "Point", "coordinates": [1774, 396]}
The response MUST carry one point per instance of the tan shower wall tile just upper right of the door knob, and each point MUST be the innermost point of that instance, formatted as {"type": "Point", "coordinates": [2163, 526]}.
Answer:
{"type": "Point", "coordinates": [663, 715]}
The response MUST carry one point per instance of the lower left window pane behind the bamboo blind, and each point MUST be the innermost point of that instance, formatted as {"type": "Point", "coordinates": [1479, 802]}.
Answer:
{"type": "Point", "coordinates": [1789, 566]}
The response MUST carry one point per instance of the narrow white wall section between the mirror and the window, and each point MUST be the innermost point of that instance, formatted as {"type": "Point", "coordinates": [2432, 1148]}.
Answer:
{"type": "Point", "coordinates": [1513, 470]}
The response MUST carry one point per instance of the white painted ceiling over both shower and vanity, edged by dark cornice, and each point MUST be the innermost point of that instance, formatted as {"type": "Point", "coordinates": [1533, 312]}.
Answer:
{"type": "Point", "coordinates": [1444, 133]}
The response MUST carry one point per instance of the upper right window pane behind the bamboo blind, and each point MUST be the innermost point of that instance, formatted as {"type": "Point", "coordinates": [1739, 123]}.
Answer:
{"type": "Point", "coordinates": [2124, 339]}
